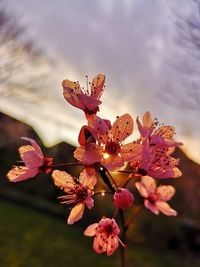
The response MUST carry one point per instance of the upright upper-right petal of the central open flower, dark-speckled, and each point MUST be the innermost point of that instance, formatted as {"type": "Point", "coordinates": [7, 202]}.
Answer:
{"type": "Point", "coordinates": [122, 128]}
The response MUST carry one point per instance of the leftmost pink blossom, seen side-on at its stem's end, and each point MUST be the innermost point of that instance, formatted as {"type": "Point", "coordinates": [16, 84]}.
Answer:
{"type": "Point", "coordinates": [33, 160]}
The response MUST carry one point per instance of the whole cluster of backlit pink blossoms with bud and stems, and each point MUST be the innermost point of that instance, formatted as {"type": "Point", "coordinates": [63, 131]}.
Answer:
{"type": "Point", "coordinates": [103, 149]}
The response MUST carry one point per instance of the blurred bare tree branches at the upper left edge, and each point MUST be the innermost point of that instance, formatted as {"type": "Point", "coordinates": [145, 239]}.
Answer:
{"type": "Point", "coordinates": [24, 69]}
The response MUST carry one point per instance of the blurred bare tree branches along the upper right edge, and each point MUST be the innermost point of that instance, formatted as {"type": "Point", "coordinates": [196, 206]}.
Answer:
{"type": "Point", "coordinates": [182, 85]}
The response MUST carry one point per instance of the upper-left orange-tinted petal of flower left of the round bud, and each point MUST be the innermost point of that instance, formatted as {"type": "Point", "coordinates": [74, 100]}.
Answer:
{"type": "Point", "coordinates": [63, 180]}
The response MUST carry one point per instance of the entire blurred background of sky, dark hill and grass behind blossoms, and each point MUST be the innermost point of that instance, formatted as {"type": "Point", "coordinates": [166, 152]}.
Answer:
{"type": "Point", "coordinates": [150, 53]}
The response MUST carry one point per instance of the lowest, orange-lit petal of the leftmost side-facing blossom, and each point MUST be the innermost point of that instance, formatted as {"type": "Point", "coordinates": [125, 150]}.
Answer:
{"type": "Point", "coordinates": [18, 174]}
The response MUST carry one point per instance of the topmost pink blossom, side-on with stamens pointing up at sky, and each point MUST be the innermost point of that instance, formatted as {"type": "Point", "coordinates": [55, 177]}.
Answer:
{"type": "Point", "coordinates": [86, 100]}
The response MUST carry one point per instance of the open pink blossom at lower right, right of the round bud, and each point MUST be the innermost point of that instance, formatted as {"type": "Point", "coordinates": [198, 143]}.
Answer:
{"type": "Point", "coordinates": [155, 198]}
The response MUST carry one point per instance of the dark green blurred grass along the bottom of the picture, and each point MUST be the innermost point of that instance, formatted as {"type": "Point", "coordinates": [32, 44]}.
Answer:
{"type": "Point", "coordinates": [31, 239]}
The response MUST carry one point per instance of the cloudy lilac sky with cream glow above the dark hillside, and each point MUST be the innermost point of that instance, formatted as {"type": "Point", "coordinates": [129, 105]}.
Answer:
{"type": "Point", "coordinates": [139, 46]}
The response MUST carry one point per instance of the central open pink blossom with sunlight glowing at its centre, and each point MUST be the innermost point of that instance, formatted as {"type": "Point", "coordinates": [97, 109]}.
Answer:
{"type": "Point", "coordinates": [108, 146]}
